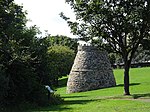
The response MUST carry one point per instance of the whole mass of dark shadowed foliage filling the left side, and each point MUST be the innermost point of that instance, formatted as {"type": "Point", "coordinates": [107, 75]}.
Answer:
{"type": "Point", "coordinates": [23, 59]}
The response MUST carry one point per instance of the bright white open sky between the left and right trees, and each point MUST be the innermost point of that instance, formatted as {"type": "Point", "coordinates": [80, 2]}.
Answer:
{"type": "Point", "coordinates": [45, 14]}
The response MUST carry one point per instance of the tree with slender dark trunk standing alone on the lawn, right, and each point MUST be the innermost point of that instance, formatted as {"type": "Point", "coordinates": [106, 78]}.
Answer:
{"type": "Point", "coordinates": [122, 24]}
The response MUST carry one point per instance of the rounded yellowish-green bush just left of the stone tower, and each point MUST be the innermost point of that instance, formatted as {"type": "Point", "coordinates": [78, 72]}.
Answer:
{"type": "Point", "coordinates": [60, 61]}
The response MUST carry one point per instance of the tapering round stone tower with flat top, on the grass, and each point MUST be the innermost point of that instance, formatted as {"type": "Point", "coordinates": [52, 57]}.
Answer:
{"type": "Point", "coordinates": [91, 70]}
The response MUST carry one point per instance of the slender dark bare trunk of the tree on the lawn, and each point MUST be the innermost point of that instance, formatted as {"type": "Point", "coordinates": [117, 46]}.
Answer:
{"type": "Point", "coordinates": [126, 78]}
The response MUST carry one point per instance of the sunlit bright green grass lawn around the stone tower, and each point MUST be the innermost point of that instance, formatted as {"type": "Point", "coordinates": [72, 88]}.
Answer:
{"type": "Point", "coordinates": [108, 99]}
